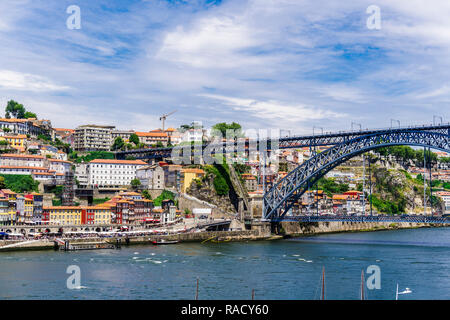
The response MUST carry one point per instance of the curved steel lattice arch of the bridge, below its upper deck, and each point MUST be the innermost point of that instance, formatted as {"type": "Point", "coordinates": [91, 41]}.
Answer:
{"type": "Point", "coordinates": [280, 198]}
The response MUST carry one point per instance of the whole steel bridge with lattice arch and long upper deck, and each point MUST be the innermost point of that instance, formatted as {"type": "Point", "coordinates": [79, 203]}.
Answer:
{"type": "Point", "coordinates": [280, 198]}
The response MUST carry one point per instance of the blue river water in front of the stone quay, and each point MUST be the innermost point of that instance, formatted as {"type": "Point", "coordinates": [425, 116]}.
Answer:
{"type": "Point", "coordinates": [286, 269]}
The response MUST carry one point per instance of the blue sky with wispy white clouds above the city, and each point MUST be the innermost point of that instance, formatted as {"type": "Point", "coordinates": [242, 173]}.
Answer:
{"type": "Point", "coordinates": [298, 65]}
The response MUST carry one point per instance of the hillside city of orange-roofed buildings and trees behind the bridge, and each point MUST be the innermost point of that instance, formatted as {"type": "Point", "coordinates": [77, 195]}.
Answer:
{"type": "Point", "coordinates": [70, 176]}
